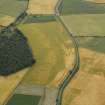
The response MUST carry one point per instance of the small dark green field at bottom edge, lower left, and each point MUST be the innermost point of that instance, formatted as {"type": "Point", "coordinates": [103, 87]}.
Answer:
{"type": "Point", "coordinates": [20, 99]}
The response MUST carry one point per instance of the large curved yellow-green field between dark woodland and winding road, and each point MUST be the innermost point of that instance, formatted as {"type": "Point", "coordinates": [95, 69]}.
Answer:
{"type": "Point", "coordinates": [49, 43]}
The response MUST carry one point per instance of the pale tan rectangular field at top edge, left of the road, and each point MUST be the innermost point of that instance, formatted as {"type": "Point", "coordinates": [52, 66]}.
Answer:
{"type": "Point", "coordinates": [40, 7]}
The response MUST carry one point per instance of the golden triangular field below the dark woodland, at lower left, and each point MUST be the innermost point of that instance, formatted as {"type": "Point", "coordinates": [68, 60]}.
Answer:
{"type": "Point", "coordinates": [8, 84]}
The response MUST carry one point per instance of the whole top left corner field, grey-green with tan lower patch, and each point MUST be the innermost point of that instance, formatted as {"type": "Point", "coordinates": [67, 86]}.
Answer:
{"type": "Point", "coordinates": [10, 10]}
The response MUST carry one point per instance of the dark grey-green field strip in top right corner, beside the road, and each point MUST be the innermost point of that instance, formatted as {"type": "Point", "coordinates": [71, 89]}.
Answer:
{"type": "Point", "coordinates": [81, 7]}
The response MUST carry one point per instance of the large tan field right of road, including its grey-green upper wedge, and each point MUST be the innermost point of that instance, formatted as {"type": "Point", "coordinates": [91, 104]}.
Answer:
{"type": "Point", "coordinates": [88, 86]}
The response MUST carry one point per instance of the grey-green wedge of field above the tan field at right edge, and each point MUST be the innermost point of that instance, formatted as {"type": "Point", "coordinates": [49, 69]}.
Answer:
{"type": "Point", "coordinates": [92, 43]}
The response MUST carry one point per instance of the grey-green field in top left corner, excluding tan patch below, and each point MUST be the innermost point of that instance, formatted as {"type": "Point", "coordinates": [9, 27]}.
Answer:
{"type": "Point", "coordinates": [12, 7]}
